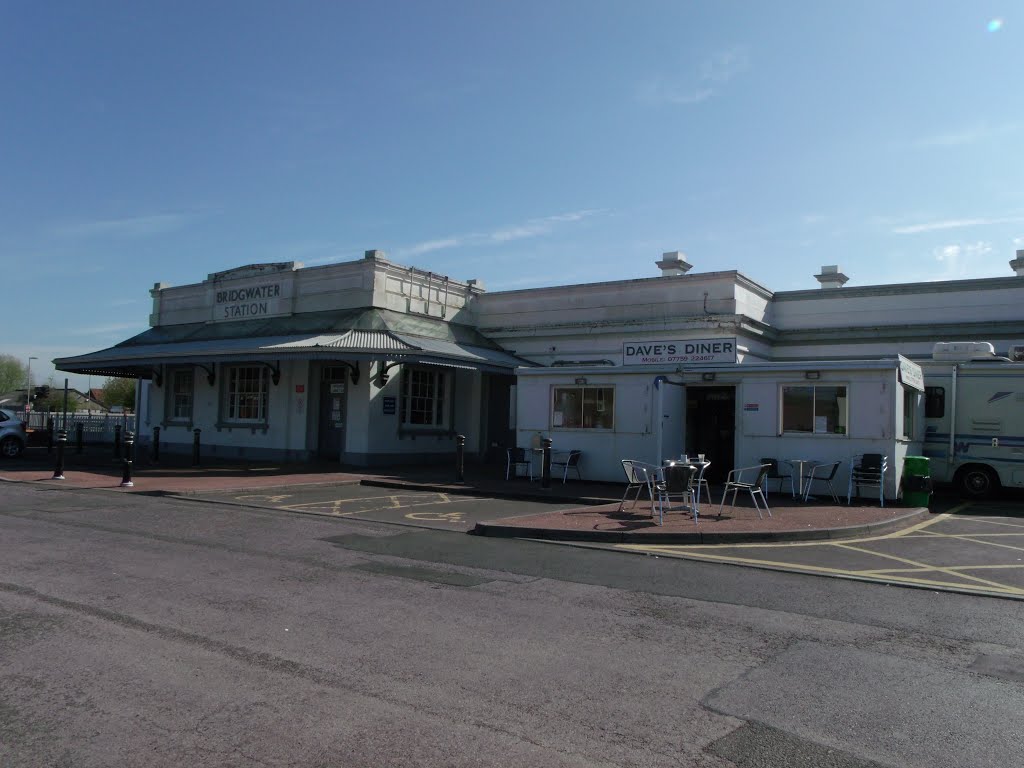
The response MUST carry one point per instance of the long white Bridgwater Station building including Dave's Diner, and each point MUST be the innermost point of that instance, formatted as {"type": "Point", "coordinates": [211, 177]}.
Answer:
{"type": "Point", "coordinates": [370, 363]}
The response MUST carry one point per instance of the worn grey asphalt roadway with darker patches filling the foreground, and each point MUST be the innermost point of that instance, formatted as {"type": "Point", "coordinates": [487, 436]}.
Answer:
{"type": "Point", "coordinates": [159, 632]}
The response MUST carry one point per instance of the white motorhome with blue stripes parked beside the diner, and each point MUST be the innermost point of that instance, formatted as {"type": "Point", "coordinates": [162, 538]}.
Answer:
{"type": "Point", "coordinates": [974, 417]}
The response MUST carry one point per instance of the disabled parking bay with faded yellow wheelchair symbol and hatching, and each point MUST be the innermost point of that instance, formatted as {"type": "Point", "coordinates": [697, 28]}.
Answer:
{"type": "Point", "coordinates": [433, 509]}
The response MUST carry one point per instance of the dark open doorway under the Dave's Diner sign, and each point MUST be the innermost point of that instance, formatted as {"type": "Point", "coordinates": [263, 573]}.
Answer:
{"type": "Point", "coordinates": [711, 429]}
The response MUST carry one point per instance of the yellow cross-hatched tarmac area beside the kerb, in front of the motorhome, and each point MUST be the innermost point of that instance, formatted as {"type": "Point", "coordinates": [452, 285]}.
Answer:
{"type": "Point", "coordinates": [974, 547]}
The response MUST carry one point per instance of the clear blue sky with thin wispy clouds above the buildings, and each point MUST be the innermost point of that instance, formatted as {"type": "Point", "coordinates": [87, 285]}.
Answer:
{"type": "Point", "coordinates": [524, 144]}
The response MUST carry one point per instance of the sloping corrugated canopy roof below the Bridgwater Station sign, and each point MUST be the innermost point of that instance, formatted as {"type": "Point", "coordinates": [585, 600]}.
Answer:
{"type": "Point", "coordinates": [368, 334]}
